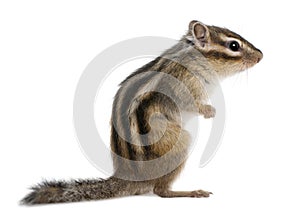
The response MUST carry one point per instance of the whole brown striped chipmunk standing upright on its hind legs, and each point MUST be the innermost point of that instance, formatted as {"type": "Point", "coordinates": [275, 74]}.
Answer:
{"type": "Point", "coordinates": [148, 142]}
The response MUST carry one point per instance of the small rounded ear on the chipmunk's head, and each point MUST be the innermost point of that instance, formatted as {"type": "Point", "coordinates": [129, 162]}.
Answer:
{"type": "Point", "coordinates": [199, 32]}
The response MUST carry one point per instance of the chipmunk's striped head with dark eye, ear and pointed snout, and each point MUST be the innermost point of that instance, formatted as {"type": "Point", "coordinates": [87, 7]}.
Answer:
{"type": "Point", "coordinates": [226, 51]}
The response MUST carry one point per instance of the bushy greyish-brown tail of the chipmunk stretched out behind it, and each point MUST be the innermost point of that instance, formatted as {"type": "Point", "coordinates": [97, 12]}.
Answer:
{"type": "Point", "coordinates": [77, 190]}
